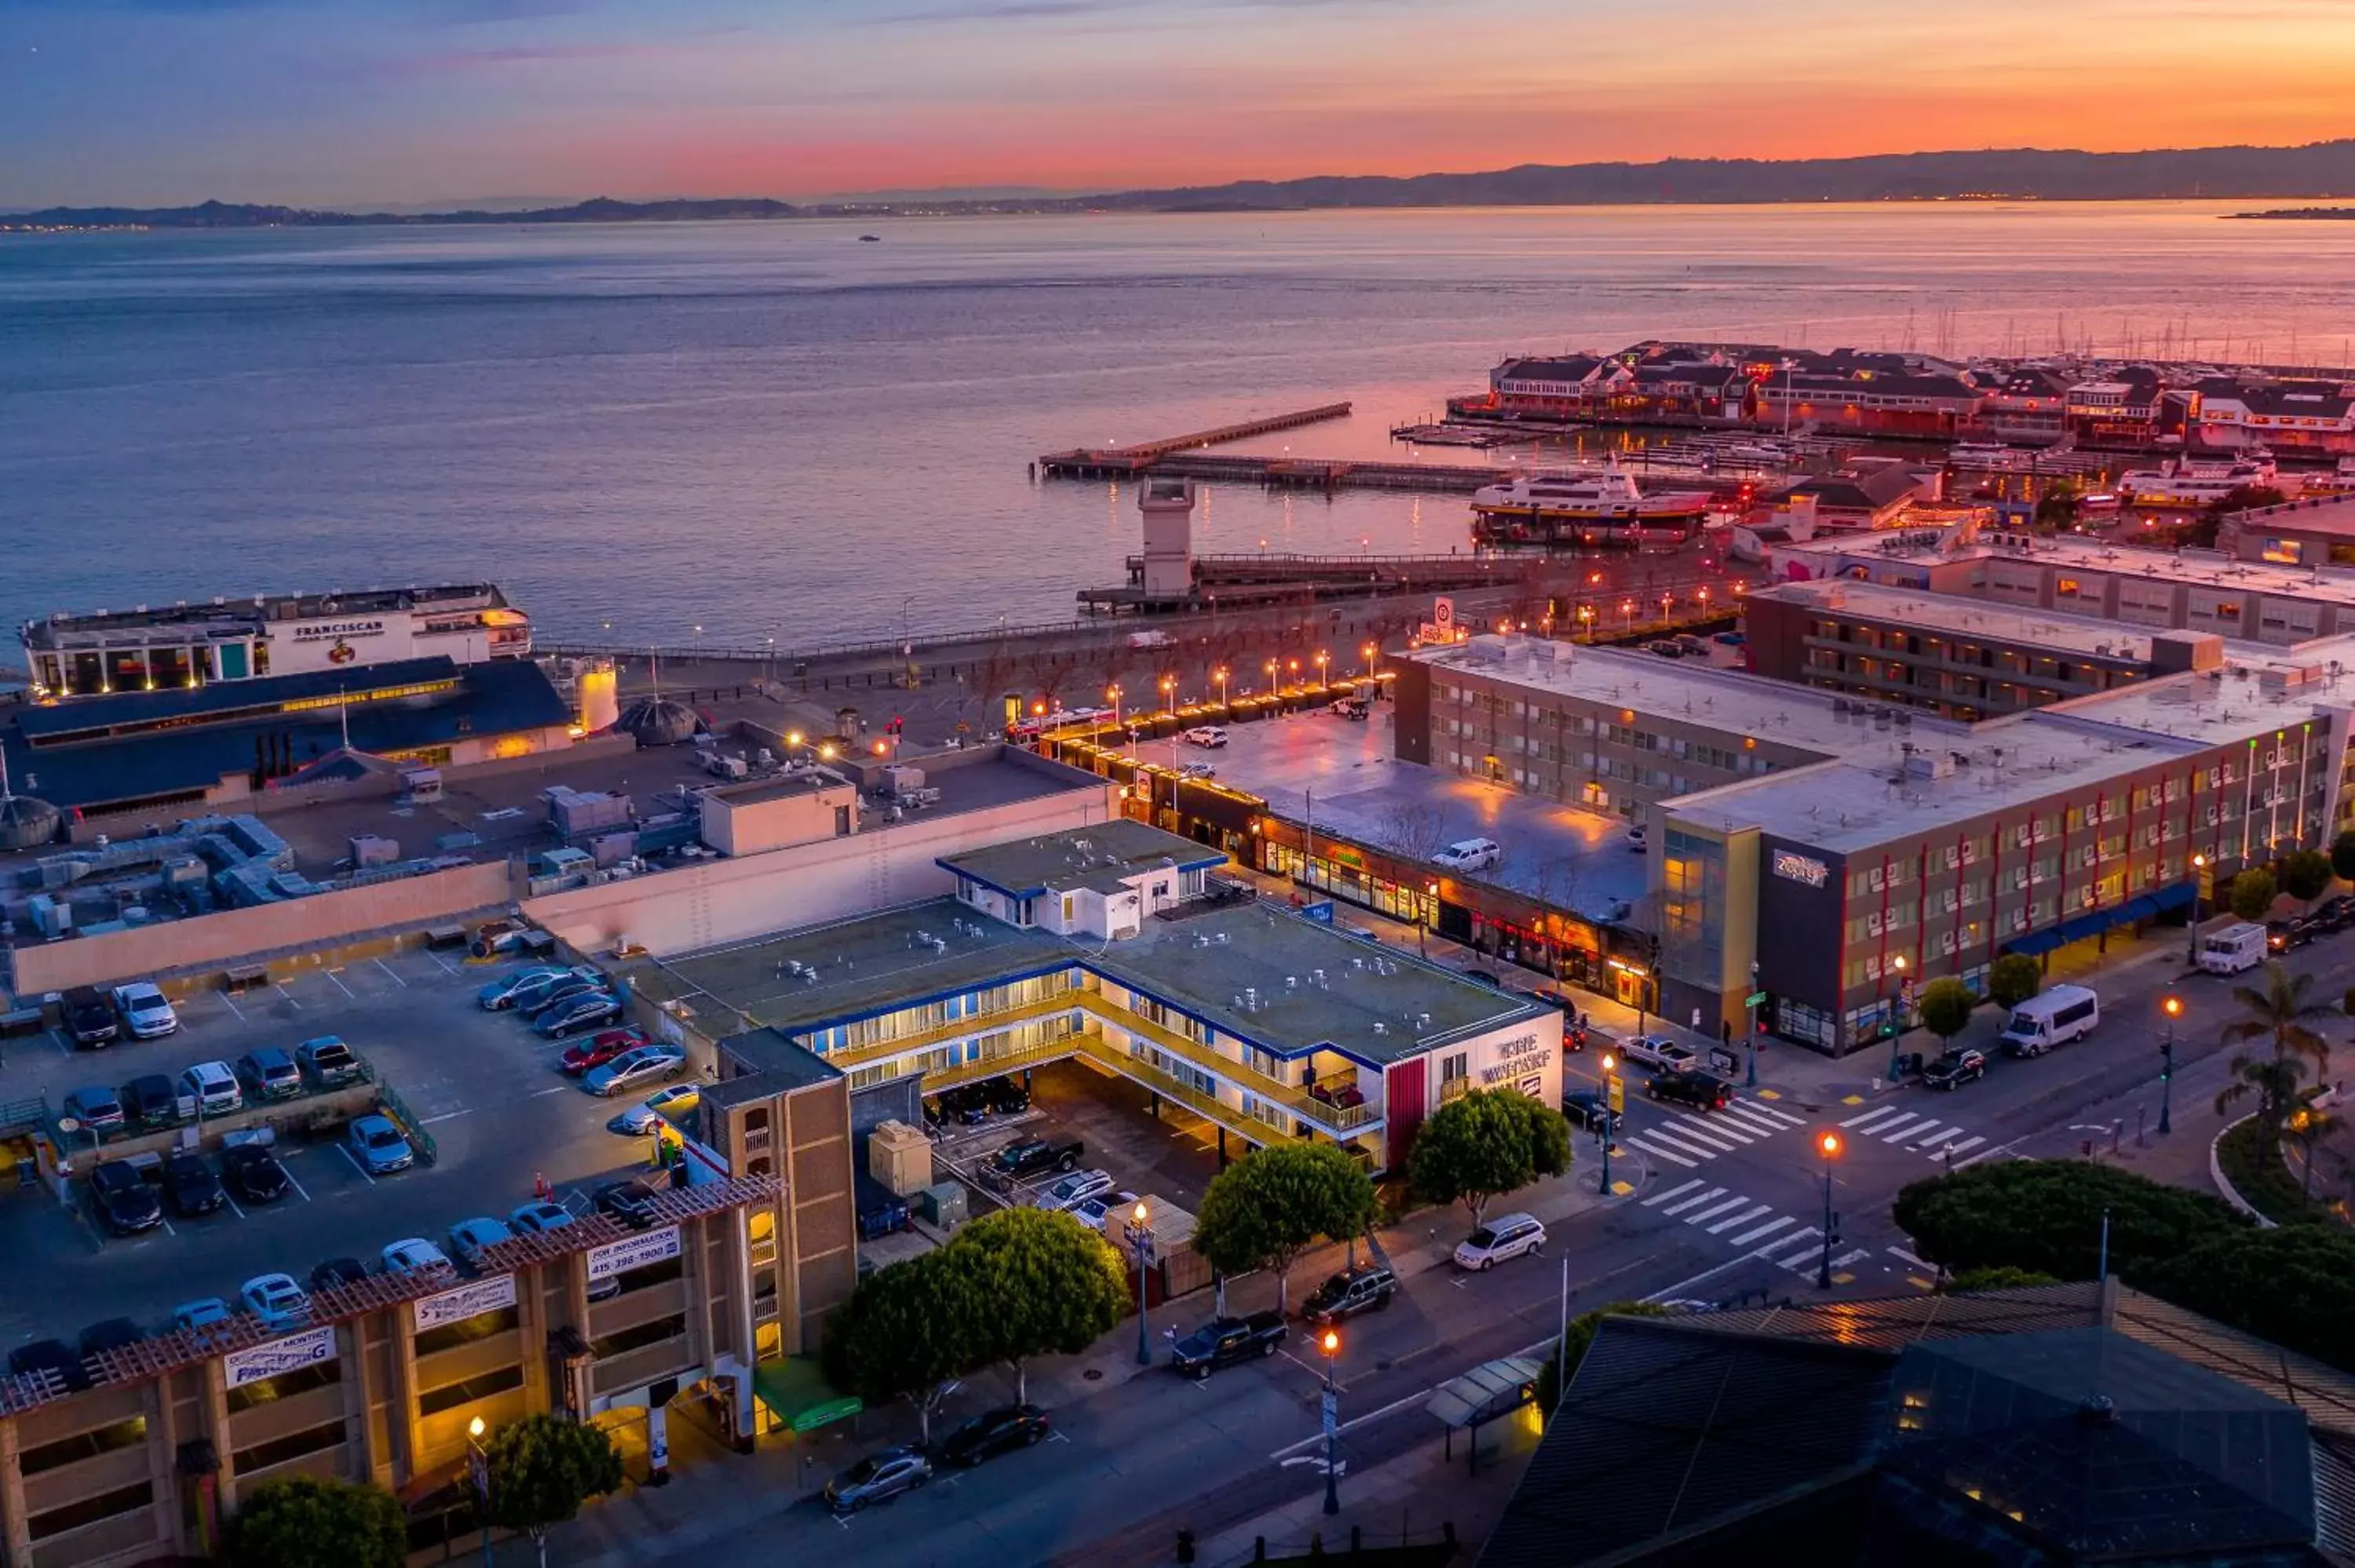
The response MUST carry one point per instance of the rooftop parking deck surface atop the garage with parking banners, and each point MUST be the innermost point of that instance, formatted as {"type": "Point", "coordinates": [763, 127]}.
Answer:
{"type": "Point", "coordinates": [482, 1084]}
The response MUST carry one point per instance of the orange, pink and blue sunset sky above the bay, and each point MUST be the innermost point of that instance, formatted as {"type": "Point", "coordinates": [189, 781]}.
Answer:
{"type": "Point", "coordinates": [338, 102]}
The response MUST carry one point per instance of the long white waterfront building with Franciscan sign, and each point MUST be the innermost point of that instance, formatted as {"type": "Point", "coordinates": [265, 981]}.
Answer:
{"type": "Point", "coordinates": [270, 634]}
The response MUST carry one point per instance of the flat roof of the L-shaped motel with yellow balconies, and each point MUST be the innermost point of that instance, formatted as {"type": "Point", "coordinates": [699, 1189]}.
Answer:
{"type": "Point", "coordinates": [1256, 971]}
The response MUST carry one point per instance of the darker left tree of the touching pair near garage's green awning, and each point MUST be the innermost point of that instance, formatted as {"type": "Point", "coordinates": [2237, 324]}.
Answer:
{"type": "Point", "coordinates": [910, 1331]}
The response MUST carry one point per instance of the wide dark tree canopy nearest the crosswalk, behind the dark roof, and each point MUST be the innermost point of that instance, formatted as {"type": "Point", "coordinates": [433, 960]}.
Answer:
{"type": "Point", "coordinates": [2048, 1216]}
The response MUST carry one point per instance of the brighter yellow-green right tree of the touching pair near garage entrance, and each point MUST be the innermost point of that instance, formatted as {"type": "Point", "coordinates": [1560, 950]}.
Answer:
{"type": "Point", "coordinates": [1044, 1287]}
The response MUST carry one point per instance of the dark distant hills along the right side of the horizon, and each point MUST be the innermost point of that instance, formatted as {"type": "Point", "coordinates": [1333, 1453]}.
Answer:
{"type": "Point", "coordinates": [2326, 168]}
